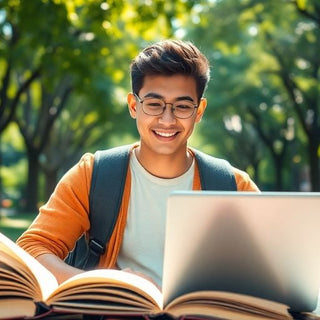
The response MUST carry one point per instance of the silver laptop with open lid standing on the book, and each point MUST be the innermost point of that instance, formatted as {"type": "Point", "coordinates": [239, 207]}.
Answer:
{"type": "Point", "coordinates": [261, 244]}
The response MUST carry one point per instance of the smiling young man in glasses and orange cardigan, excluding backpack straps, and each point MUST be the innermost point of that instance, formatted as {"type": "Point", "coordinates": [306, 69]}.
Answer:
{"type": "Point", "coordinates": [168, 82]}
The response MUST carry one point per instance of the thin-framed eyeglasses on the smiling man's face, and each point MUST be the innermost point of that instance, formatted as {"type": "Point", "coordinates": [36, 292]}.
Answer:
{"type": "Point", "coordinates": [182, 109]}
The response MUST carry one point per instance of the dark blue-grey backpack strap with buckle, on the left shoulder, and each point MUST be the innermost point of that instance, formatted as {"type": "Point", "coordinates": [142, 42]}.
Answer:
{"type": "Point", "coordinates": [107, 185]}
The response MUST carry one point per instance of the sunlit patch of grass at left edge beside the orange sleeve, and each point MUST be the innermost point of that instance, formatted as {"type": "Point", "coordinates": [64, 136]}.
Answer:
{"type": "Point", "coordinates": [14, 225]}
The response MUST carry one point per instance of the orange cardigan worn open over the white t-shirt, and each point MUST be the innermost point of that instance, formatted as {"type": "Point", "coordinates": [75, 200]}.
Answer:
{"type": "Point", "coordinates": [64, 218]}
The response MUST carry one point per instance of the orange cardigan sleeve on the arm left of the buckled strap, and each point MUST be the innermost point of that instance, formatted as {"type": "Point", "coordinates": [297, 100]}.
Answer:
{"type": "Point", "coordinates": [64, 218]}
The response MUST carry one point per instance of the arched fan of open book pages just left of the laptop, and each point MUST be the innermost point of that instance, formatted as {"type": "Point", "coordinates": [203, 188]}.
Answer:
{"type": "Point", "coordinates": [123, 284]}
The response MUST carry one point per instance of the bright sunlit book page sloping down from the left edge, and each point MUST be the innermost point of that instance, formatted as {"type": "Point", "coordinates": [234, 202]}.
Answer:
{"type": "Point", "coordinates": [45, 279]}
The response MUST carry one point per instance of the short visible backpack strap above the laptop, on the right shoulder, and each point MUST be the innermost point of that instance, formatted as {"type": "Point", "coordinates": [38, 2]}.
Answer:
{"type": "Point", "coordinates": [215, 173]}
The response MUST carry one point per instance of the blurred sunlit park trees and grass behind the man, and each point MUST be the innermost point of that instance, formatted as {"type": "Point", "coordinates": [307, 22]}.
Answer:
{"type": "Point", "coordinates": [64, 76]}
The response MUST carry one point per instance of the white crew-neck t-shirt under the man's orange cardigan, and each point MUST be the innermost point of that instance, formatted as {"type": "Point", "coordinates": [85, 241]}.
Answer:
{"type": "Point", "coordinates": [143, 243]}
